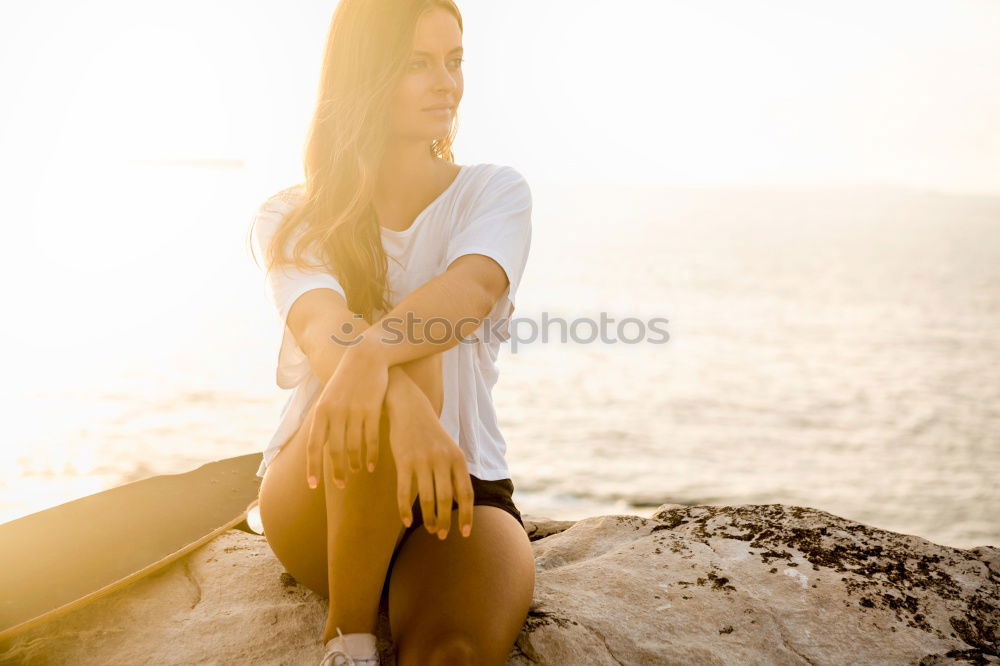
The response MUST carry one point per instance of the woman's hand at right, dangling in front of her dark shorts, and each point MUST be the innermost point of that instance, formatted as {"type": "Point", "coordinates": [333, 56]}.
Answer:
{"type": "Point", "coordinates": [422, 447]}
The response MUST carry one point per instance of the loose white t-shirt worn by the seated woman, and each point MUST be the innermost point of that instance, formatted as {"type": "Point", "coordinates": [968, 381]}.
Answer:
{"type": "Point", "coordinates": [486, 210]}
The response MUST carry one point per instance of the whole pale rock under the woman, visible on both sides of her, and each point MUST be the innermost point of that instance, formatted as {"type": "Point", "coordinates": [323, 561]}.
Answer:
{"type": "Point", "coordinates": [745, 584]}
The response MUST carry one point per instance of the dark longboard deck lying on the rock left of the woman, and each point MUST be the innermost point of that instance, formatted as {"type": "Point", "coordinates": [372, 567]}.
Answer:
{"type": "Point", "coordinates": [58, 559]}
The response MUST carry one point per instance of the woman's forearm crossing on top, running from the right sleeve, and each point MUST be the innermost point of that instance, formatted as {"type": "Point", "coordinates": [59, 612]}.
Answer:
{"type": "Point", "coordinates": [432, 319]}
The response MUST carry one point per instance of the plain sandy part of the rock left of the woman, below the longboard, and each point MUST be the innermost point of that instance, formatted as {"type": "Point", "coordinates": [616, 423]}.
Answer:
{"type": "Point", "coordinates": [227, 602]}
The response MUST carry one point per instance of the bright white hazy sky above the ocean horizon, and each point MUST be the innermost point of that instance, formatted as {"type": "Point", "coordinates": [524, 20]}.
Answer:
{"type": "Point", "coordinates": [652, 91]}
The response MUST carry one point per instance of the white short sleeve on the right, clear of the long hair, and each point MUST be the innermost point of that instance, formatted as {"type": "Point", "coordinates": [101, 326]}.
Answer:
{"type": "Point", "coordinates": [498, 226]}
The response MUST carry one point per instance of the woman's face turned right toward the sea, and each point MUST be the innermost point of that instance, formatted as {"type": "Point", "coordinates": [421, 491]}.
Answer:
{"type": "Point", "coordinates": [432, 77]}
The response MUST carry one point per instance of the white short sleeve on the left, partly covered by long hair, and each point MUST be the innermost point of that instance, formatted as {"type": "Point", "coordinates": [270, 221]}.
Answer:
{"type": "Point", "coordinates": [284, 285]}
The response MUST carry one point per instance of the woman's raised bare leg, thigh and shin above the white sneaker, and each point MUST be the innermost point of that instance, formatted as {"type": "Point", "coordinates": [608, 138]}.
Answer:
{"type": "Point", "coordinates": [339, 542]}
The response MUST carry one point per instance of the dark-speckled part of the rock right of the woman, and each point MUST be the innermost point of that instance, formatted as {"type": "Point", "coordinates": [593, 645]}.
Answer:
{"type": "Point", "coordinates": [757, 584]}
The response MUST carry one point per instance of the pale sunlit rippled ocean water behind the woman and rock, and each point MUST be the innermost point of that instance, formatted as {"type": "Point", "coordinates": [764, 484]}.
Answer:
{"type": "Point", "coordinates": [832, 348]}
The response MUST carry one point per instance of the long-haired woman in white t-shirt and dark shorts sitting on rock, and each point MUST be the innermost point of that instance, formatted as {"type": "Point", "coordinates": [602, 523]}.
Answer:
{"type": "Point", "coordinates": [391, 425]}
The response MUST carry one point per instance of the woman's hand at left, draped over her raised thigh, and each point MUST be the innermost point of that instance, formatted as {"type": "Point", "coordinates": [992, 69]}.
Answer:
{"type": "Point", "coordinates": [346, 414]}
